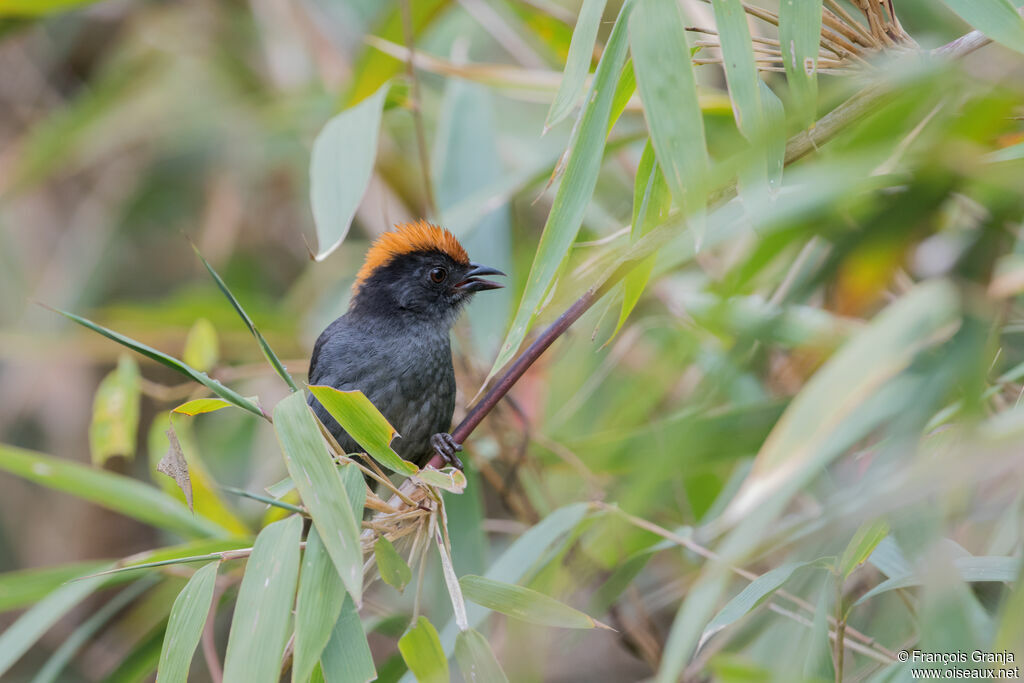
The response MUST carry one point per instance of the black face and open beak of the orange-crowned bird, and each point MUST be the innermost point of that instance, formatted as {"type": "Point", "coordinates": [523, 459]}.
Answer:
{"type": "Point", "coordinates": [425, 284]}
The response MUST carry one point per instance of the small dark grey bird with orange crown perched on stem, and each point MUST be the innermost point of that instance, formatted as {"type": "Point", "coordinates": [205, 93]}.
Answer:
{"type": "Point", "coordinates": [394, 343]}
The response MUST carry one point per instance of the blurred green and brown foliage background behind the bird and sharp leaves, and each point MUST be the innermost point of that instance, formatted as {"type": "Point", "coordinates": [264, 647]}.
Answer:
{"type": "Point", "coordinates": [129, 127]}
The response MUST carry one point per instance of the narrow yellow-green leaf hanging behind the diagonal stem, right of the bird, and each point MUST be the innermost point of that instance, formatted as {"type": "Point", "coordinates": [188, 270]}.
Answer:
{"type": "Point", "coordinates": [652, 201]}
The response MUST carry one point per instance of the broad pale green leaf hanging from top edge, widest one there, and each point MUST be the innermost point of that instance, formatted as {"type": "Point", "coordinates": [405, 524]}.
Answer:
{"type": "Point", "coordinates": [669, 92]}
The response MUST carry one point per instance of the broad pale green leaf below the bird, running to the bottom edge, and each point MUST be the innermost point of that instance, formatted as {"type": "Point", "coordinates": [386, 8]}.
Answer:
{"type": "Point", "coordinates": [261, 624]}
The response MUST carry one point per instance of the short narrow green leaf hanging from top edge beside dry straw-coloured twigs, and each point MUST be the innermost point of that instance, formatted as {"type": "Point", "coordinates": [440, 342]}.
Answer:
{"type": "Point", "coordinates": [800, 33]}
